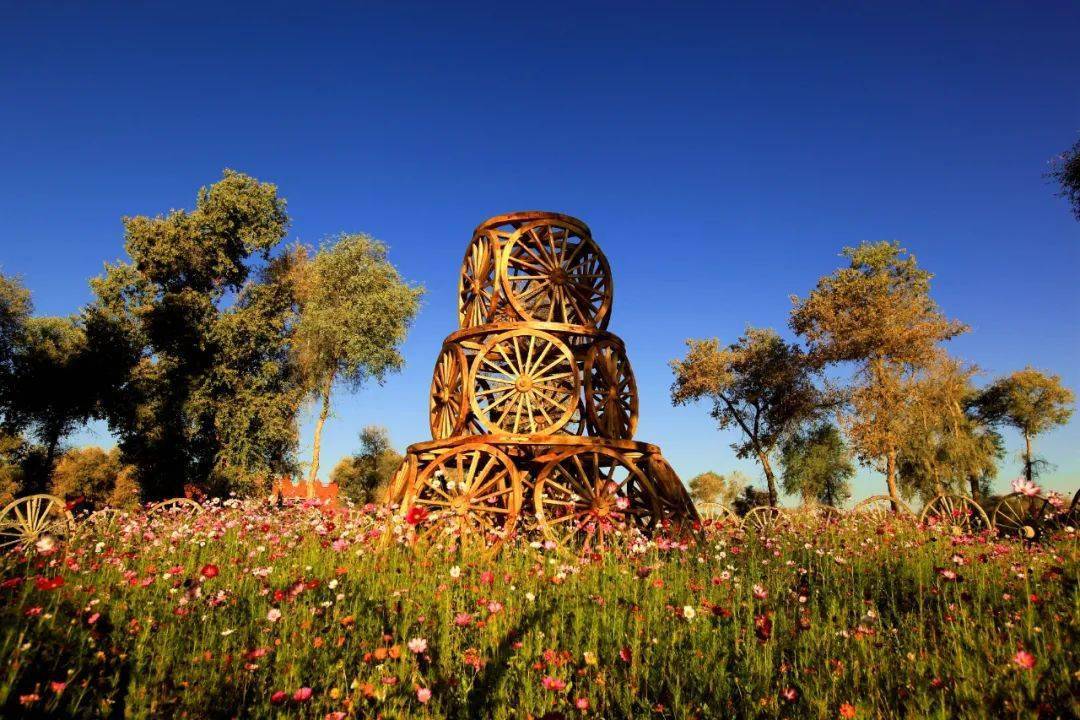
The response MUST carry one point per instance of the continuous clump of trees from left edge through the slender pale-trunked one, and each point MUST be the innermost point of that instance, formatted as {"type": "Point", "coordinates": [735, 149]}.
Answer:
{"type": "Point", "coordinates": [199, 352]}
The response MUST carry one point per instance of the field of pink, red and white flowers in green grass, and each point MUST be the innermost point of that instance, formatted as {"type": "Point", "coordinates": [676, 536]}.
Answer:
{"type": "Point", "coordinates": [248, 610]}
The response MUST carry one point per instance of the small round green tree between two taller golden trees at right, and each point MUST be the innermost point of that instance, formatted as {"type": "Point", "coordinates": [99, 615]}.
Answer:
{"type": "Point", "coordinates": [817, 466]}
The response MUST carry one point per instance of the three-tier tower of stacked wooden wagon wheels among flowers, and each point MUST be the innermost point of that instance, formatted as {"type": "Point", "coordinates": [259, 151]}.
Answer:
{"type": "Point", "coordinates": [534, 404]}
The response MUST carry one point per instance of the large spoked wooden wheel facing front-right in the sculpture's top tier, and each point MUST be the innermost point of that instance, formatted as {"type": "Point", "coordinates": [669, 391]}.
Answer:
{"type": "Point", "coordinates": [553, 271]}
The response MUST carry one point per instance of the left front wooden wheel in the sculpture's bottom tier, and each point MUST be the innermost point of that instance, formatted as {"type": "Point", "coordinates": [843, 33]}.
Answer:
{"type": "Point", "coordinates": [472, 491]}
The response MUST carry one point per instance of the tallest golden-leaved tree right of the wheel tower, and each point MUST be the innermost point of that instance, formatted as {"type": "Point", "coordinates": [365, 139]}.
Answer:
{"type": "Point", "coordinates": [877, 315]}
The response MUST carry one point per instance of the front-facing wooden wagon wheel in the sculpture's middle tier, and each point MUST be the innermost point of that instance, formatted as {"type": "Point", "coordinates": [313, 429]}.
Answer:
{"type": "Point", "coordinates": [524, 383]}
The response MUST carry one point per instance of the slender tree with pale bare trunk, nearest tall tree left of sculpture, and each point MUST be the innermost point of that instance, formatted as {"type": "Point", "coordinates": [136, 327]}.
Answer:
{"type": "Point", "coordinates": [356, 311]}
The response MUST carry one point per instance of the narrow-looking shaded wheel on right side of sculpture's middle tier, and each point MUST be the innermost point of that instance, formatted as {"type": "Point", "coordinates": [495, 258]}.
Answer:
{"type": "Point", "coordinates": [611, 391]}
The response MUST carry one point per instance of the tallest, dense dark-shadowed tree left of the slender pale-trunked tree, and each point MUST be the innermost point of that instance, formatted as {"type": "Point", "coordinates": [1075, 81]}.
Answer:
{"type": "Point", "coordinates": [192, 361]}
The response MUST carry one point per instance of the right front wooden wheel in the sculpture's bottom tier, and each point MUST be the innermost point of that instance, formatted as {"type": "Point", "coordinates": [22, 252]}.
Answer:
{"type": "Point", "coordinates": [586, 496]}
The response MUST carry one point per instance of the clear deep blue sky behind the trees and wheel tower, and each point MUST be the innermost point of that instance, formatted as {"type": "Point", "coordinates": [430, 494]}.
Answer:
{"type": "Point", "coordinates": [723, 157]}
